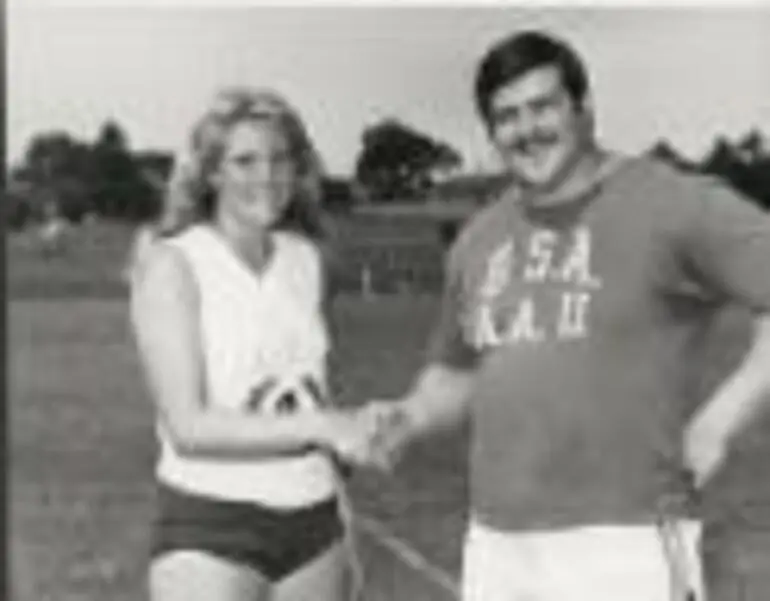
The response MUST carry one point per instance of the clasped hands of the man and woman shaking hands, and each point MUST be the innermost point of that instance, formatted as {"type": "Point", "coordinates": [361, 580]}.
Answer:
{"type": "Point", "coordinates": [372, 436]}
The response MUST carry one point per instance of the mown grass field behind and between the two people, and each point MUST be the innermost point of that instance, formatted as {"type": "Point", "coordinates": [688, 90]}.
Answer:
{"type": "Point", "coordinates": [82, 444]}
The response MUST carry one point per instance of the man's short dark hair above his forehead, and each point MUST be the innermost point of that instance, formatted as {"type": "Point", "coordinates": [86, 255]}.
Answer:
{"type": "Point", "coordinates": [516, 55]}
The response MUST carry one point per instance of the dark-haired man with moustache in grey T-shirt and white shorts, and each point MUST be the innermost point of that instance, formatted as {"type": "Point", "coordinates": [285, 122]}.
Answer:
{"type": "Point", "coordinates": [570, 321]}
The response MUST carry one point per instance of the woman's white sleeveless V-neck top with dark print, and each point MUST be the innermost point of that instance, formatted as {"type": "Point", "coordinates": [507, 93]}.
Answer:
{"type": "Point", "coordinates": [260, 334]}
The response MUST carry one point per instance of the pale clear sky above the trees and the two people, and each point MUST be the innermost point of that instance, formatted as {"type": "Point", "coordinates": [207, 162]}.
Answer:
{"type": "Point", "coordinates": [687, 74]}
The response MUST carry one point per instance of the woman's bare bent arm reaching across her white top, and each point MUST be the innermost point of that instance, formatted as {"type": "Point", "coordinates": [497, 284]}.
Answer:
{"type": "Point", "coordinates": [165, 321]}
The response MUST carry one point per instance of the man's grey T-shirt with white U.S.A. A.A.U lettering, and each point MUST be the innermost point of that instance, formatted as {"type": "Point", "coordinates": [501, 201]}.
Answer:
{"type": "Point", "coordinates": [582, 322]}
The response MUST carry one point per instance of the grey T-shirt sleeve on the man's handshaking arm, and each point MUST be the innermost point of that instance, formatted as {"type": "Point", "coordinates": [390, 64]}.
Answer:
{"type": "Point", "coordinates": [448, 345]}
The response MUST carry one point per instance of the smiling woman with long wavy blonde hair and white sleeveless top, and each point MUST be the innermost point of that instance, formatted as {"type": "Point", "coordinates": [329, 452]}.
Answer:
{"type": "Point", "coordinates": [227, 307]}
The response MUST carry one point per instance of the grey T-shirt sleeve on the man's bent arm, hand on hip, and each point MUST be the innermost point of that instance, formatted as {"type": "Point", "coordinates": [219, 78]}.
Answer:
{"type": "Point", "coordinates": [726, 242]}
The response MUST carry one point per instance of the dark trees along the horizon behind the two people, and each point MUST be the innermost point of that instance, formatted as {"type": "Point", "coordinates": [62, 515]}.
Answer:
{"type": "Point", "coordinates": [62, 176]}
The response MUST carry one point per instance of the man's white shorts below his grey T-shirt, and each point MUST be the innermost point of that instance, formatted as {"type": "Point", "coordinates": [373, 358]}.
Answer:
{"type": "Point", "coordinates": [593, 563]}
